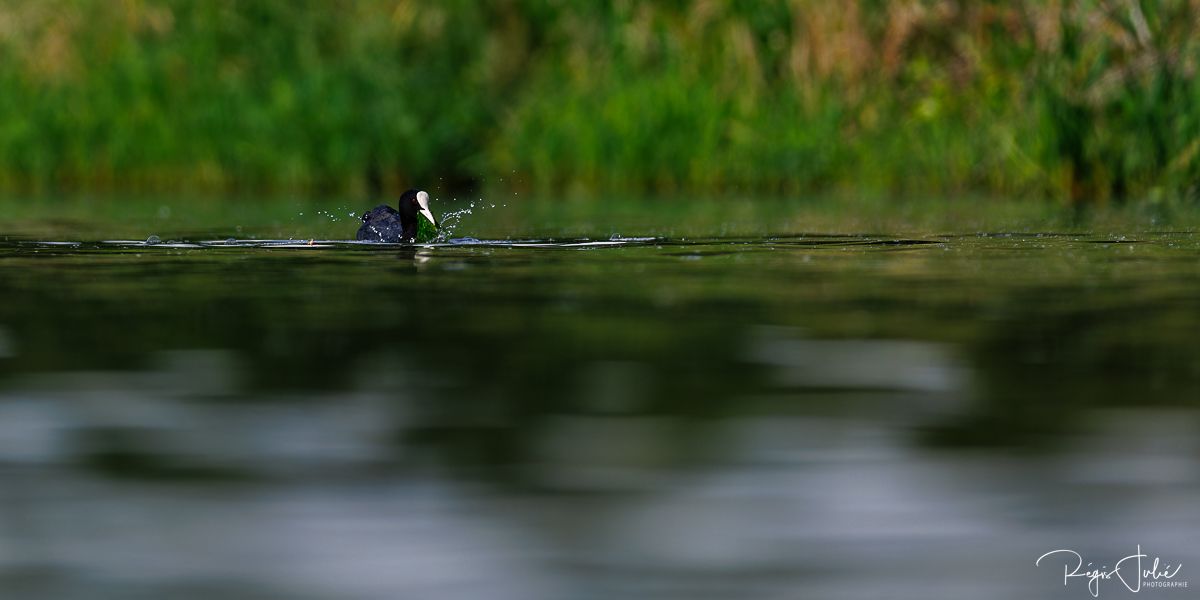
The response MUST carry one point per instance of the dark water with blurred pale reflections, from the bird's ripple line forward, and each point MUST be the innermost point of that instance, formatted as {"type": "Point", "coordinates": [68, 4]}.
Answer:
{"type": "Point", "coordinates": [797, 417]}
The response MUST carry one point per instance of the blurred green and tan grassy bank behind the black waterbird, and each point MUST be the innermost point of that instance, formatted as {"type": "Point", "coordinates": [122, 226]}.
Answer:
{"type": "Point", "coordinates": [1082, 101]}
